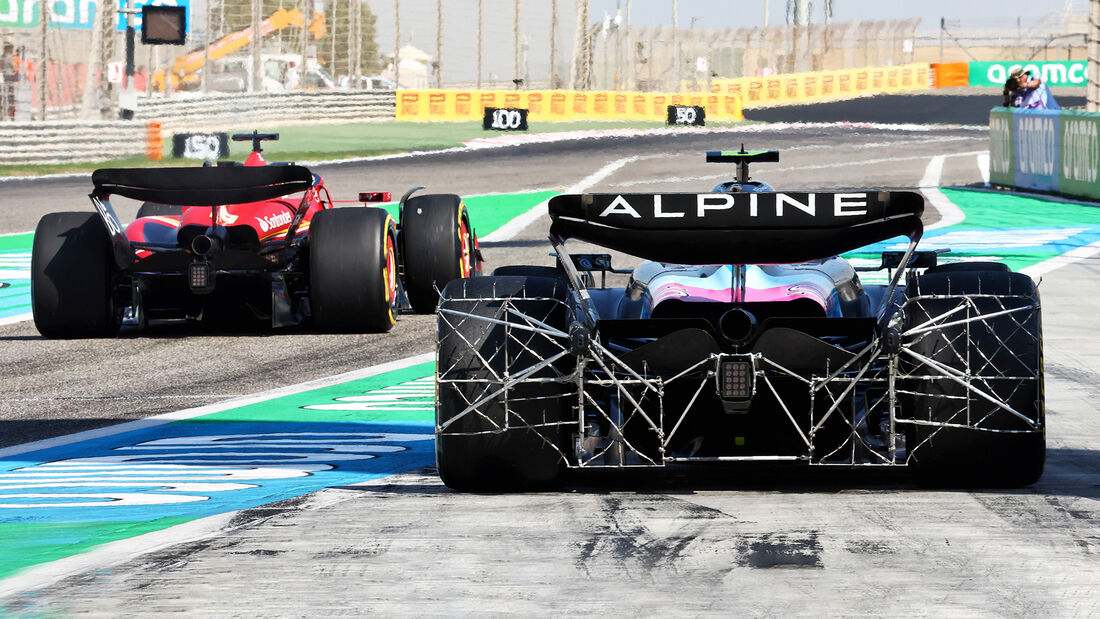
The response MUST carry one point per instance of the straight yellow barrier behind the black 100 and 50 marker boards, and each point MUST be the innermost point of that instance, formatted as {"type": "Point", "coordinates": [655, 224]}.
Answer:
{"type": "Point", "coordinates": [560, 105]}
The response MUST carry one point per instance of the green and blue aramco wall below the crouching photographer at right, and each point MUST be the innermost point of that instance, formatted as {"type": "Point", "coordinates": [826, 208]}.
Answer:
{"type": "Point", "coordinates": [1046, 150]}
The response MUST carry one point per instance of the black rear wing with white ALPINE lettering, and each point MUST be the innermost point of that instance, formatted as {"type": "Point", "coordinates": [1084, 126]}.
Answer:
{"type": "Point", "coordinates": [736, 228]}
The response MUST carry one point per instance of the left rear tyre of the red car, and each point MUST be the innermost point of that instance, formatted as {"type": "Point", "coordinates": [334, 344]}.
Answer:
{"type": "Point", "coordinates": [73, 278]}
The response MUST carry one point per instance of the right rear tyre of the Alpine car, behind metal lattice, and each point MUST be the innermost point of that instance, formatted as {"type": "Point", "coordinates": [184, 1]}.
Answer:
{"type": "Point", "coordinates": [1004, 358]}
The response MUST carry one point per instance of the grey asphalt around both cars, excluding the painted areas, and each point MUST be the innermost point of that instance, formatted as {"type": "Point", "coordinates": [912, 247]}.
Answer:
{"type": "Point", "coordinates": [757, 541]}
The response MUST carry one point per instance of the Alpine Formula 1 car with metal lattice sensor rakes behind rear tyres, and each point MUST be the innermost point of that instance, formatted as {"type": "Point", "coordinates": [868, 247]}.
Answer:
{"type": "Point", "coordinates": [741, 337]}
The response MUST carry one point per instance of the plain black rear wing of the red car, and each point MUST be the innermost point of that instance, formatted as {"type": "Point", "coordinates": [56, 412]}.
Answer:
{"type": "Point", "coordinates": [203, 186]}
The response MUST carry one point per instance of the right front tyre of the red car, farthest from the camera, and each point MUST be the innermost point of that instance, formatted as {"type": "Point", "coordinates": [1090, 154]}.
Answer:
{"type": "Point", "coordinates": [437, 247]}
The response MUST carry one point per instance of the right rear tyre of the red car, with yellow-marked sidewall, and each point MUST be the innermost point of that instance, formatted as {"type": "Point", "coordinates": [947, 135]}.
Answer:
{"type": "Point", "coordinates": [354, 271]}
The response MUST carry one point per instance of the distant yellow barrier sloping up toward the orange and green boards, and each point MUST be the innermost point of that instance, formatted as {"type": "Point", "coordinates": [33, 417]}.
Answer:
{"type": "Point", "coordinates": [818, 86]}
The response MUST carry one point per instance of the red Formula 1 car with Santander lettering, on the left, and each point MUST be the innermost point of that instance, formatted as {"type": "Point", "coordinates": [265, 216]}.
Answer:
{"type": "Point", "coordinates": [244, 244]}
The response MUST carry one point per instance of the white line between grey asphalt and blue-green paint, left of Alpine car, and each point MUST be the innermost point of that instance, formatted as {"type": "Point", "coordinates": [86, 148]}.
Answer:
{"type": "Point", "coordinates": [199, 412]}
